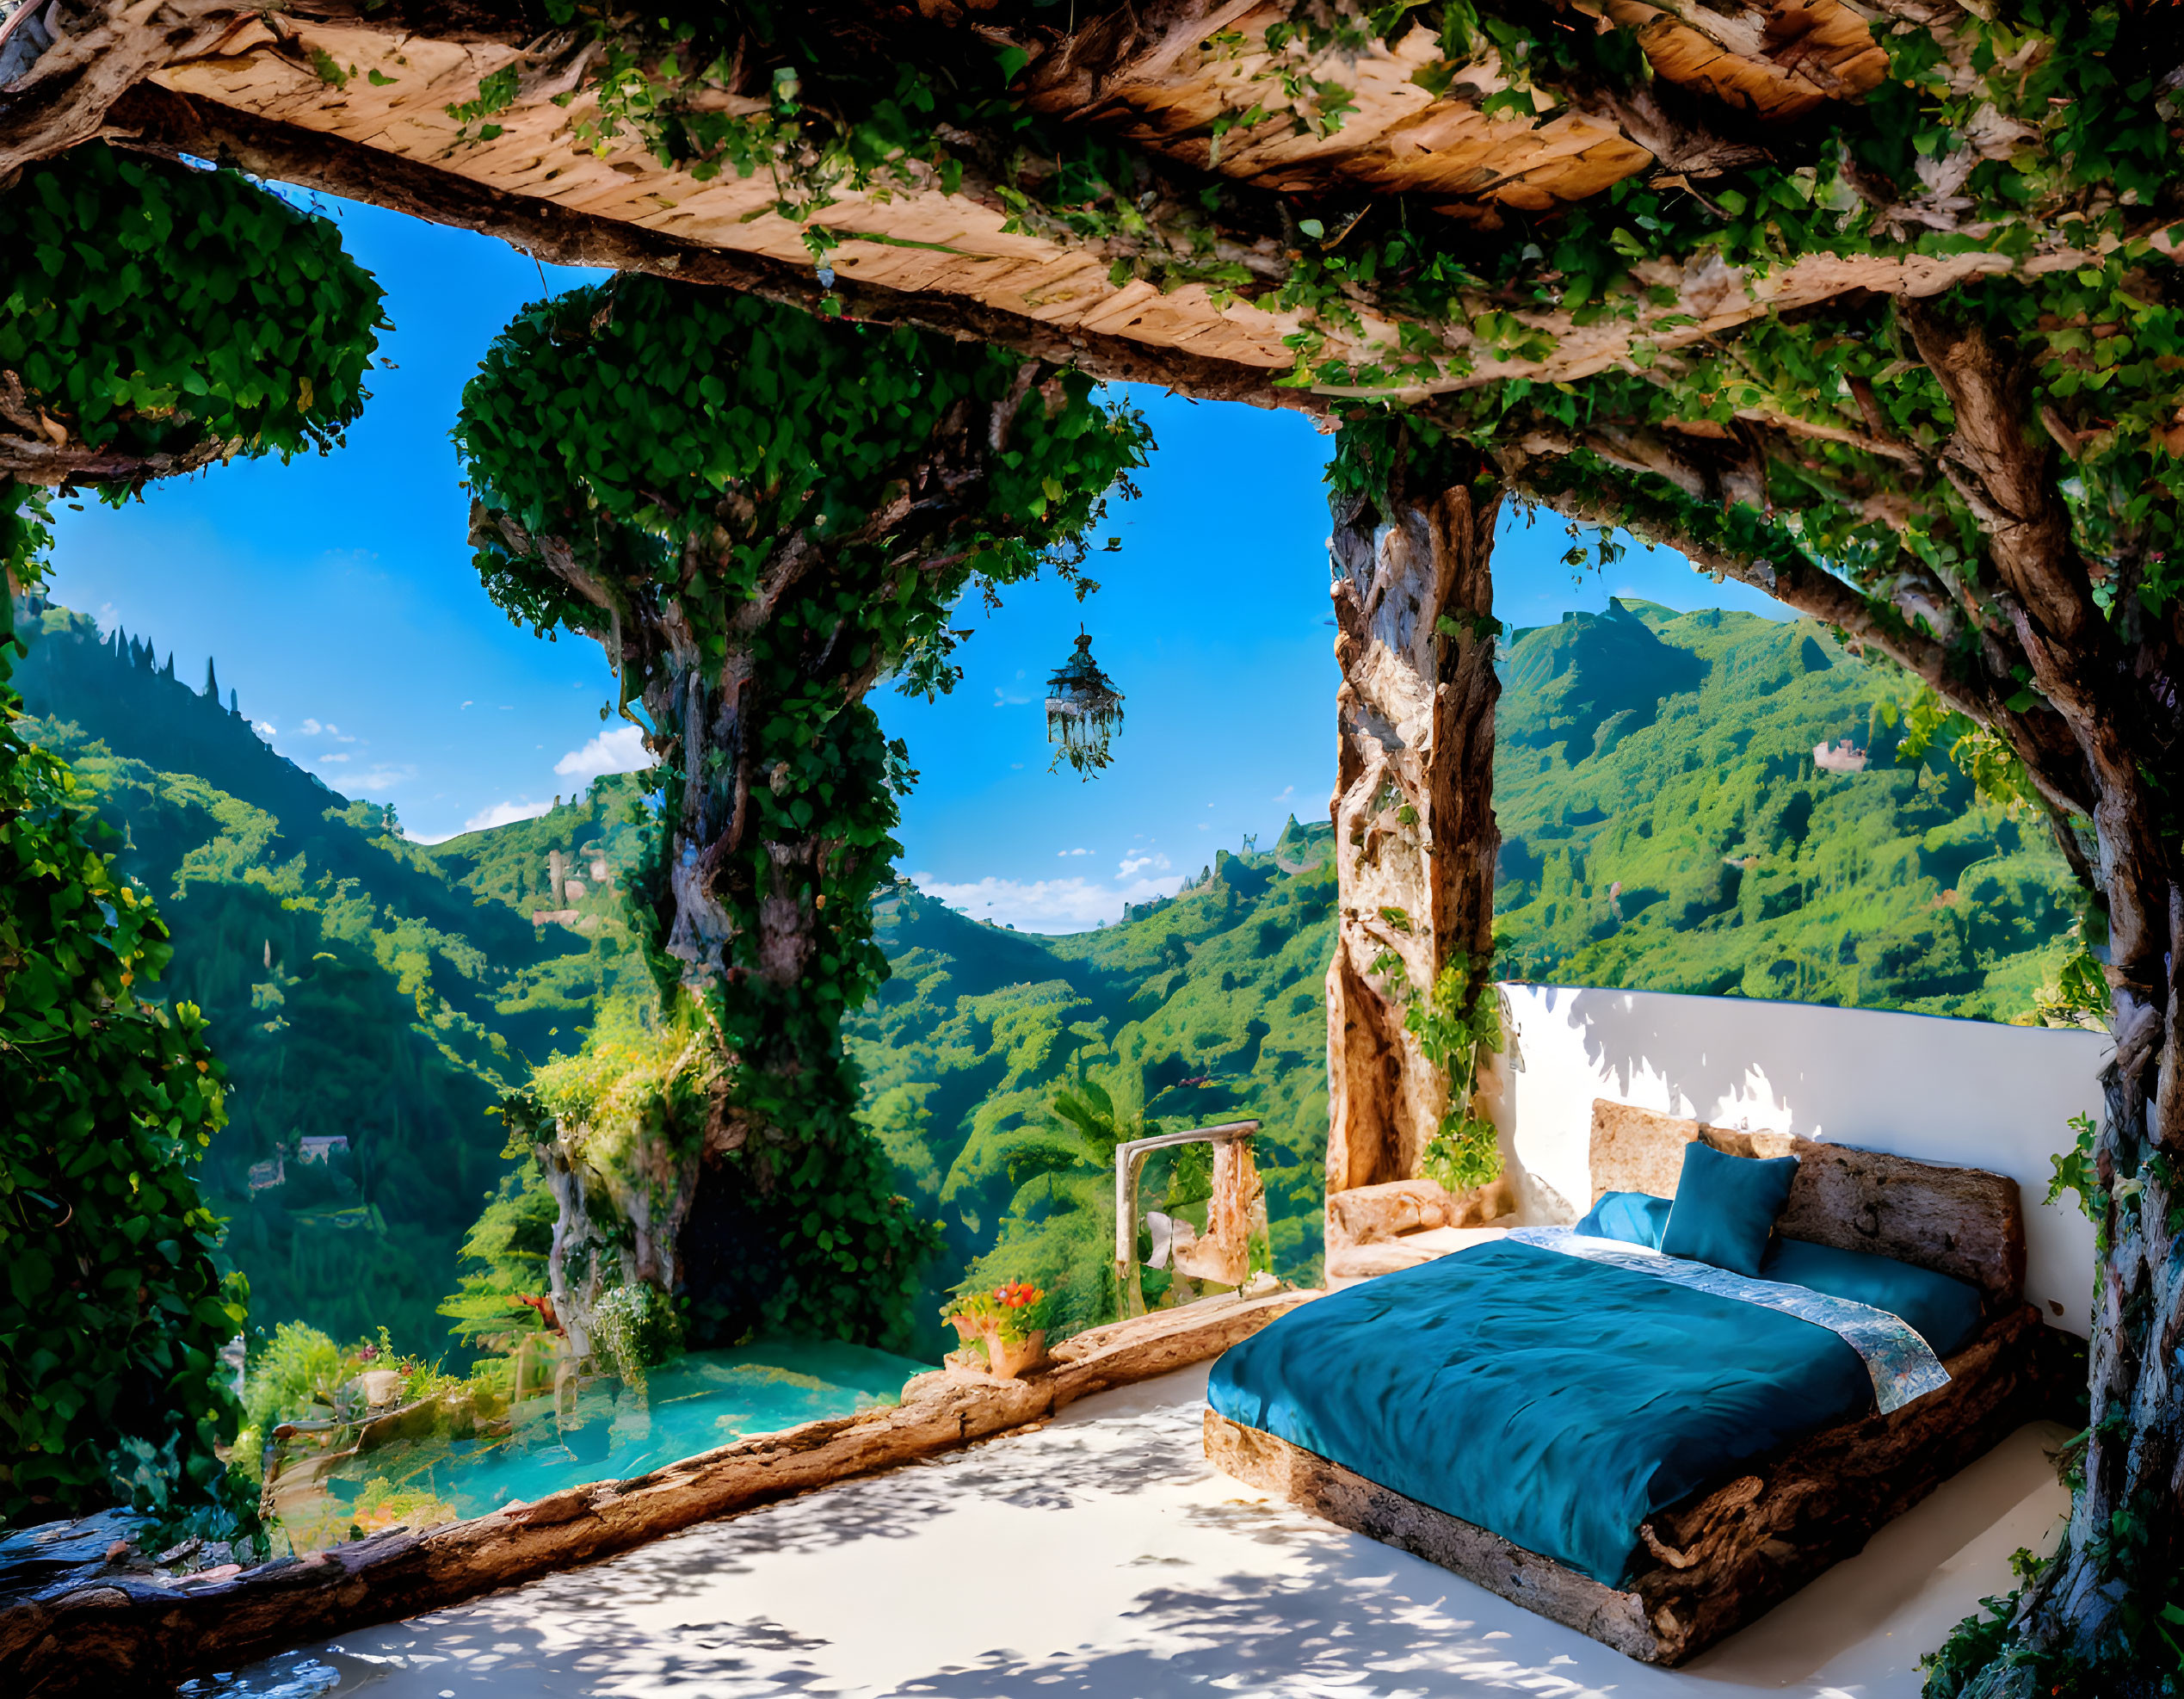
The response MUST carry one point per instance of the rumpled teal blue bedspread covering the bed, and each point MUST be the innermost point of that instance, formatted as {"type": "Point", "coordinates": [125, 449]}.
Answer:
{"type": "Point", "coordinates": [1552, 1401]}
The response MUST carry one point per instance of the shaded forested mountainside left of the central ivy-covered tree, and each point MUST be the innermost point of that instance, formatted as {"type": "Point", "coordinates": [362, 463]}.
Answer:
{"type": "Point", "coordinates": [357, 986]}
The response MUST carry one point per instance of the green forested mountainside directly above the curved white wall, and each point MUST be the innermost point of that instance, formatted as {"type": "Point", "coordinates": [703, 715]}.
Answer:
{"type": "Point", "coordinates": [1665, 827]}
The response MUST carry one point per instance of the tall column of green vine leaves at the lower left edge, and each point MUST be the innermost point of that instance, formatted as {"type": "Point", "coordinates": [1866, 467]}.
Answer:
{"type": "Point", "coordinates": [112, 1311]}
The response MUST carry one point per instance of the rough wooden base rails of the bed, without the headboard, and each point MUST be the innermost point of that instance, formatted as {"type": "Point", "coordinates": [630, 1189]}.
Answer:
{"type": "Point", "coordinates": [1724, 1556]}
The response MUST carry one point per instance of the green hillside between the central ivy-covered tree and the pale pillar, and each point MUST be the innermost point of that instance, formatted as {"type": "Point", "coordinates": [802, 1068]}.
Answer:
{"type": "Point", "coordinates": [1209, 1008]}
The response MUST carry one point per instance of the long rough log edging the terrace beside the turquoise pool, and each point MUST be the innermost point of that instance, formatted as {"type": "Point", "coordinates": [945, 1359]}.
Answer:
{"type": "Point", "coordinates": [128, 1635]}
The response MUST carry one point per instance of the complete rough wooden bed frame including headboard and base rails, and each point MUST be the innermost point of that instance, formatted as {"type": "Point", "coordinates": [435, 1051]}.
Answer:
{"type": "Point", "coordinates": [1729, 1554]}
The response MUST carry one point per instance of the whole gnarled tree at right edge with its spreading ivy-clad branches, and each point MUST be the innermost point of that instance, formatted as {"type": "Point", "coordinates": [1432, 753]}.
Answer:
{"type": "Point", "coordinates": [2026, 582]}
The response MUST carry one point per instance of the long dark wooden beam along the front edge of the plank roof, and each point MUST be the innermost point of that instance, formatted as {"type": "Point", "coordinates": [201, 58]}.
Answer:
{"type": "Point", "coordinates": [167, 123]}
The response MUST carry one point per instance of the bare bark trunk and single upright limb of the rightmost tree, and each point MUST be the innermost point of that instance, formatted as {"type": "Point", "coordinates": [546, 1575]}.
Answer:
{"type": "Point", "coordinates": [2115, 685]}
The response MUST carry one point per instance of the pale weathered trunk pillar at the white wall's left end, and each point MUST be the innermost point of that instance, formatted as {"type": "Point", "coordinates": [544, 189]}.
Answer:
{"type": "Point", "coordinates": [1414, 789]}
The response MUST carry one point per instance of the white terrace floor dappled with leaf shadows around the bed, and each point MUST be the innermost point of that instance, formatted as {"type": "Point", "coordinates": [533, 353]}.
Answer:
{"type": "Point", "coordinates": [1104, 1556]}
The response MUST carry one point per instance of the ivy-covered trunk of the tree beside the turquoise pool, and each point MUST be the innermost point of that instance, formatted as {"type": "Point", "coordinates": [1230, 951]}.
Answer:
{"type": "Point", "coordinates": [774, 831]}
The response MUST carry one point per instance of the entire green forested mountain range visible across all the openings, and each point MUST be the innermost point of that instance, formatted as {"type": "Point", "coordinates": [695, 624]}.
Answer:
{"type": "Point", "coordinates": [1665, 829]}
